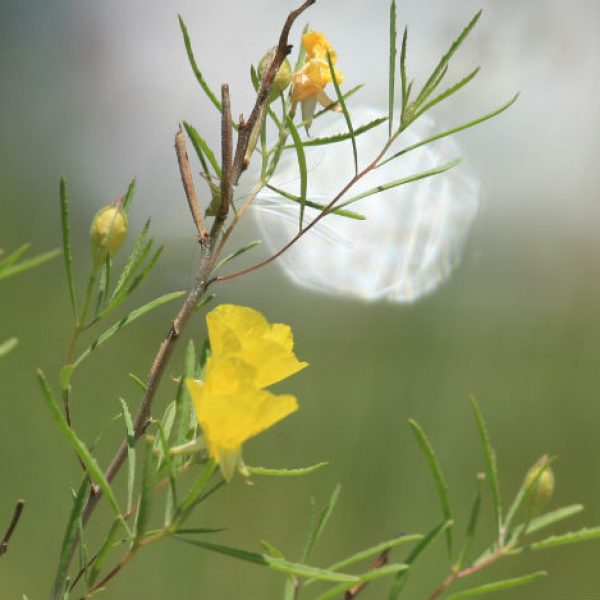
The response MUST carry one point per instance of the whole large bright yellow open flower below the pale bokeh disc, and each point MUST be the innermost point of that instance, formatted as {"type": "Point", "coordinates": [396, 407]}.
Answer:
{"type": "Point", "coordinates": [231, 405]}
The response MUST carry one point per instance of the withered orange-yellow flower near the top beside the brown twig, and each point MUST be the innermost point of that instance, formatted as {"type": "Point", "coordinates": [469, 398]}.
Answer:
{"type": "Point", "coordinates": [308, 84]}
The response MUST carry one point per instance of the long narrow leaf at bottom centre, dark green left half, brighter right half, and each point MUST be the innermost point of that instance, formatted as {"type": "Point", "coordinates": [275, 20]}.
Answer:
{"type": "Point", "coordinates": [277, 564]}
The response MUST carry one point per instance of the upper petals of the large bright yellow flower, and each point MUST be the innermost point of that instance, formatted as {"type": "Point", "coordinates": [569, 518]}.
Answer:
{"type": "Point", "coordinates": [244, 333]}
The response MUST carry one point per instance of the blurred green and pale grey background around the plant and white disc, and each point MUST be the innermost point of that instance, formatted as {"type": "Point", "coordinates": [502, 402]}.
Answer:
{"type": "Point", "coordinates": [94, 92]}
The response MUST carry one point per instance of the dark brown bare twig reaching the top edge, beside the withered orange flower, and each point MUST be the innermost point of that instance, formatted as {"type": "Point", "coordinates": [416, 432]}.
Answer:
{"type": "Point", "coordinates": [240, 162]}
